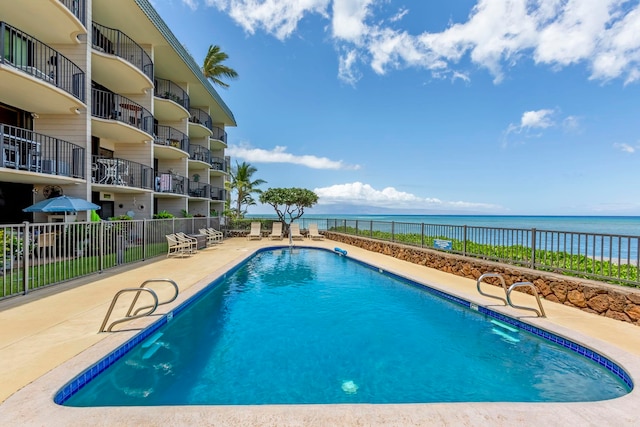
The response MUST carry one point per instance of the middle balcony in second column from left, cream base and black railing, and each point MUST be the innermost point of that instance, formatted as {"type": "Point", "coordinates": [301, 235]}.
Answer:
{"type": "Point", "coordinates": [121, 119]}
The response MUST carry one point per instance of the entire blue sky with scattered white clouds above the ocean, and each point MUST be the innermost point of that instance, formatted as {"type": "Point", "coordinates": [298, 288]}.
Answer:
{"type": "Point", "coordinates": [514, 107]}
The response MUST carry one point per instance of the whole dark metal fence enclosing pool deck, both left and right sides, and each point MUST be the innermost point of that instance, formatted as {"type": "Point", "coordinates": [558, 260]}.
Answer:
{"type": "Point", "coordinates": [40, 255]}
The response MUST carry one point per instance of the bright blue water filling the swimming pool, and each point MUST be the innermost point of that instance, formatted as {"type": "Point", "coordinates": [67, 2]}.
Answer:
{"type": "Point", "coordinates": [308, 326]}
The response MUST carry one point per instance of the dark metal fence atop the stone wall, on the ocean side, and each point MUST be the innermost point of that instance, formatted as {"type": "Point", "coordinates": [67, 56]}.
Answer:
{"type": "Point", "coordinates": [606, 257]}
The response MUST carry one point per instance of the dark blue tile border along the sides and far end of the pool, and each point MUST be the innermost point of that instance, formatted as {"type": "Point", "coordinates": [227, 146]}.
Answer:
{"type": "Point", "coordinates": [79, 381]}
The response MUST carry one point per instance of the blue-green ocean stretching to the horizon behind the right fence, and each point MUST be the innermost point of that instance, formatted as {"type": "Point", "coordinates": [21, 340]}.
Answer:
{"type": "Point", "coordinates": [615, 238]}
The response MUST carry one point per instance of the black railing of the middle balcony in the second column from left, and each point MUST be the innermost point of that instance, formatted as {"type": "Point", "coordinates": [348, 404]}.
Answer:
{"type": "Point", "coordinates": [111, 106]}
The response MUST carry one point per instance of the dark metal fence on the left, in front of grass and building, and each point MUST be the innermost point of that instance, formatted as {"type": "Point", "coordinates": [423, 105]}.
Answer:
{"type": "Point", "coordinates": [40, 255]}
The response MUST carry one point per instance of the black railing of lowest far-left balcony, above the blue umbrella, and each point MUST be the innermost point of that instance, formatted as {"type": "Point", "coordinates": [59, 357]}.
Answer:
{"type": "Point", "coordinates": [24, 149]}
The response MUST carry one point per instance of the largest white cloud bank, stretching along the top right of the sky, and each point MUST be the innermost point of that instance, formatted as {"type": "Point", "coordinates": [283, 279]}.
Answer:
{"type": "Point", "coordinates": [600, 34]}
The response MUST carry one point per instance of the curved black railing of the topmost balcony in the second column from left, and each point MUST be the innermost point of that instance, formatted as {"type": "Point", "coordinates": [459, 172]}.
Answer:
{"type": "Point", "coordinates": [115, 42]}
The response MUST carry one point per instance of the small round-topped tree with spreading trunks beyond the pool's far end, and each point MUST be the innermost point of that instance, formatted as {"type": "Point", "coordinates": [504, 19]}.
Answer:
{"type": "Point", "coordinates": [289, 202]}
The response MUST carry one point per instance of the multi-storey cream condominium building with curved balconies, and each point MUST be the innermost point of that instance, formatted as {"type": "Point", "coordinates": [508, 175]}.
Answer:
{"type": "Point", "coordinates": [99, 100]}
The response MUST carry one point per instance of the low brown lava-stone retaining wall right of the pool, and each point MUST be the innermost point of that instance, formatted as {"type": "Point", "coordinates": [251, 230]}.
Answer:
{"type": "Point", "coordinates": [617, 302]}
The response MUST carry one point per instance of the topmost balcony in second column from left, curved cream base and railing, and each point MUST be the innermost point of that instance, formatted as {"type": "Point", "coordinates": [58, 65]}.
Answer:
{"type": "Point", "coordinates": [118, 62]}
